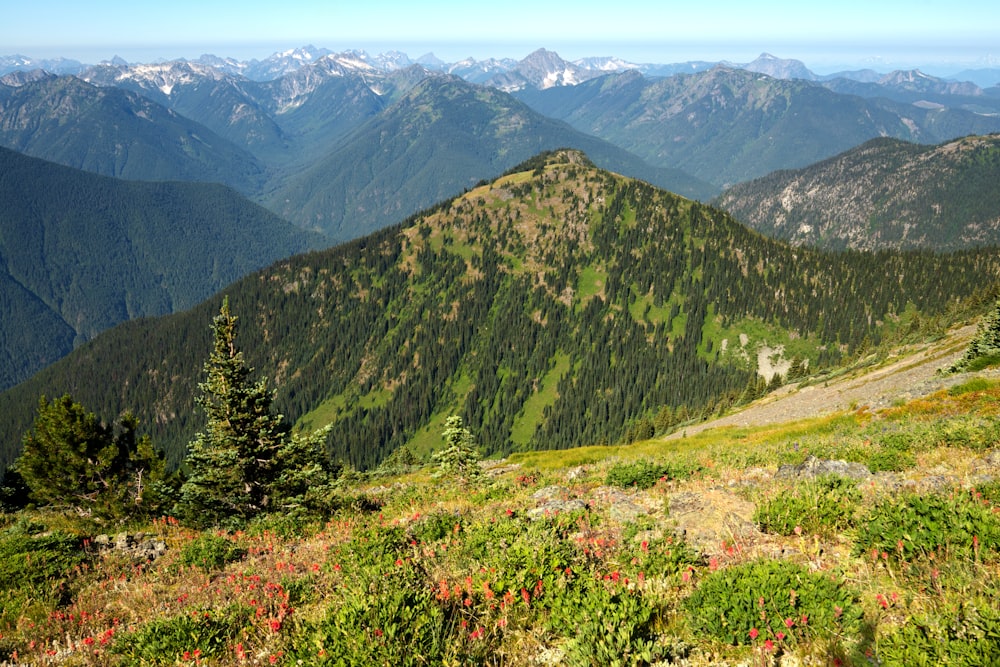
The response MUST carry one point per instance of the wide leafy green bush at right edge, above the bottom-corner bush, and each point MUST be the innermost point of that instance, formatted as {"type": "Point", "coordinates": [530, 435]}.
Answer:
{"type": "Point", "coordinates": [913, 526]}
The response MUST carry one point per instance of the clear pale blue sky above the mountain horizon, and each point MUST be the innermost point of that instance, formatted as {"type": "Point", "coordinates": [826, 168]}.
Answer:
{"type": "Point", "coordinates": [883, 34]}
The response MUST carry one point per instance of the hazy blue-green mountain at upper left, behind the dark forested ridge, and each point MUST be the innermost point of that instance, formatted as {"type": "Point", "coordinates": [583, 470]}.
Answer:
{"type": "Point", "coordinates": [118, 133]}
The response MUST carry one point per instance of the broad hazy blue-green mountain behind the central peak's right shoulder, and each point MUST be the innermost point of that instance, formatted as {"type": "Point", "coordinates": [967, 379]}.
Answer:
{"type": "Point", "coordinates": [726, 125]}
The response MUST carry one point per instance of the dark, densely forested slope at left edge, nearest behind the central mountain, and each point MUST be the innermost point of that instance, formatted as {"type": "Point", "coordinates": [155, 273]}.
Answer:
{"type": "Point", "coordinates": [80, 253]}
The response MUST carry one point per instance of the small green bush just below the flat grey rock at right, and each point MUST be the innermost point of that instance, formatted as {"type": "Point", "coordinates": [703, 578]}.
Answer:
{"type": "Point", "coordinates": [826, 505]}
